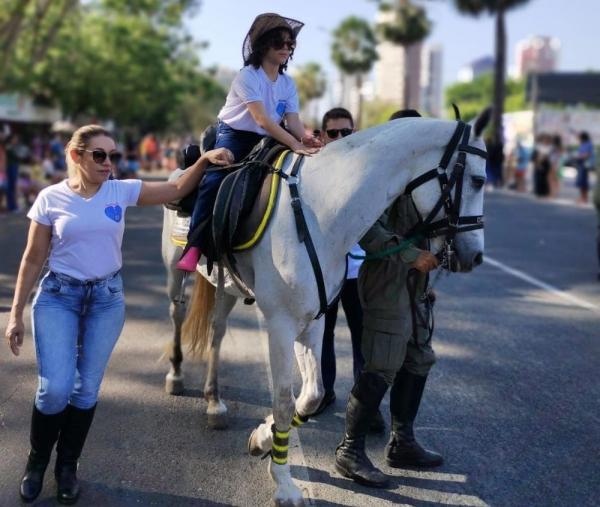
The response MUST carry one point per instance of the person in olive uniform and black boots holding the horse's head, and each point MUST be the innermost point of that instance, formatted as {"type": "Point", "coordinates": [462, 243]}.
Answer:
{"type": "Point", "coordinates": [396, 345]}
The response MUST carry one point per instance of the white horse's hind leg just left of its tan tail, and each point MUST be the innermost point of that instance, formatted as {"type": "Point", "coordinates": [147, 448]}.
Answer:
{"type": "Point", "coordinates": [176, 290]}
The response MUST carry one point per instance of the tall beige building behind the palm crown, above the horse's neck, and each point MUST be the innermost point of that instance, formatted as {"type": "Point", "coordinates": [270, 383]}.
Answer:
{"type": "Point", "coordinates": [394, 61]}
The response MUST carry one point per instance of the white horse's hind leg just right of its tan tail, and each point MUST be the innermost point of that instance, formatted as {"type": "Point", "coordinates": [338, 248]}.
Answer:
{"type": "Point", "coordinates": [217, 410]}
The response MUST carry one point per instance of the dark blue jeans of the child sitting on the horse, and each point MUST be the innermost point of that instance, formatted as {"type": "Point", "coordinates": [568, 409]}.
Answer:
{"type": "Point", "coordinates": [240, 143]}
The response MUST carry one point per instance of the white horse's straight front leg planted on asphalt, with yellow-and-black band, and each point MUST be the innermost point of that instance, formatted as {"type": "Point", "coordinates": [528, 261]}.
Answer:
{"type": "Point", "coordinates": [273, 434]}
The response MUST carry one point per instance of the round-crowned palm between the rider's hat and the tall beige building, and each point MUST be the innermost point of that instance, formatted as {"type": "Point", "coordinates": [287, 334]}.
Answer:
{"type": "Point", "coordinates": [354, 52]}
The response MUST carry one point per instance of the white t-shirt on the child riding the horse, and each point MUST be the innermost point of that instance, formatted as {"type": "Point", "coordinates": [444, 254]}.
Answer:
{"type": "Point", "coordinates": [252, 85]}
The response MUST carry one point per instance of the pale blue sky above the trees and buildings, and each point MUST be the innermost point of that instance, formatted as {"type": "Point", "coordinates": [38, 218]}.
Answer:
{"type": "Point", "coordinates": [224, 23]}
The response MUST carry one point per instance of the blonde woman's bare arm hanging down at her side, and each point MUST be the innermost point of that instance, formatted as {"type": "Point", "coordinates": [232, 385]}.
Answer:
{"type": "Point", "coordinates": [34, 257]}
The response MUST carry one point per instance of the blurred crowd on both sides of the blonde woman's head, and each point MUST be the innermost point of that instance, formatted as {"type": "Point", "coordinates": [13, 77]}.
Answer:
{"type": "Point", "coordinates": [28, 163]}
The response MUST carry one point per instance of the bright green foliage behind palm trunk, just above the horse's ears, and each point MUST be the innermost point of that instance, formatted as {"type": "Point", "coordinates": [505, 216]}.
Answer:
{"type": "Point", "coordinates": [473, 97]}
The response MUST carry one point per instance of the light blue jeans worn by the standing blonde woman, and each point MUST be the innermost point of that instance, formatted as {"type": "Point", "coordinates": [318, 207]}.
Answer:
{"type": "Point", "coordinates": [76, 325]}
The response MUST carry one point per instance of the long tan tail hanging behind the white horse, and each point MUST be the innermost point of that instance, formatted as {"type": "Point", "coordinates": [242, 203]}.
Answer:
{"type": "Point", "coordinates": [197, 327]}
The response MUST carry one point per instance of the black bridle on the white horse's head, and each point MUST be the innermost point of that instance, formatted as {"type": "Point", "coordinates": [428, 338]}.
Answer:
{"type": "Point", "coordinates": [453, 223]}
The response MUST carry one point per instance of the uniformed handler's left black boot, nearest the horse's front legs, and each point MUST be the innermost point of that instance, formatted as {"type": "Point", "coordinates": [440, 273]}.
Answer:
{"type": "Point", "coordinates": [350, 457]}
